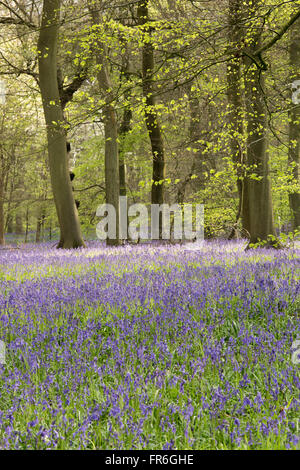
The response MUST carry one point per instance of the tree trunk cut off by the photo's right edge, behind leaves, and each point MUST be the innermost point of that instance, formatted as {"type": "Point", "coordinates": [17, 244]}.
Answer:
{"type": "Point", "coordinates": [294, 125]}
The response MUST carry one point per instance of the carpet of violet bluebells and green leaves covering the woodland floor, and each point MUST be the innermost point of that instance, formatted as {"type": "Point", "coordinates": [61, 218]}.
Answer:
{"type": "Point", "coordinates": [149, 347]}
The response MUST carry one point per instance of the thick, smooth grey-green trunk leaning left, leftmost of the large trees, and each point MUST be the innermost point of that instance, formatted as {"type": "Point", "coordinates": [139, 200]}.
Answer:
{"type": "Point", "coordinates": [71, 236]}
